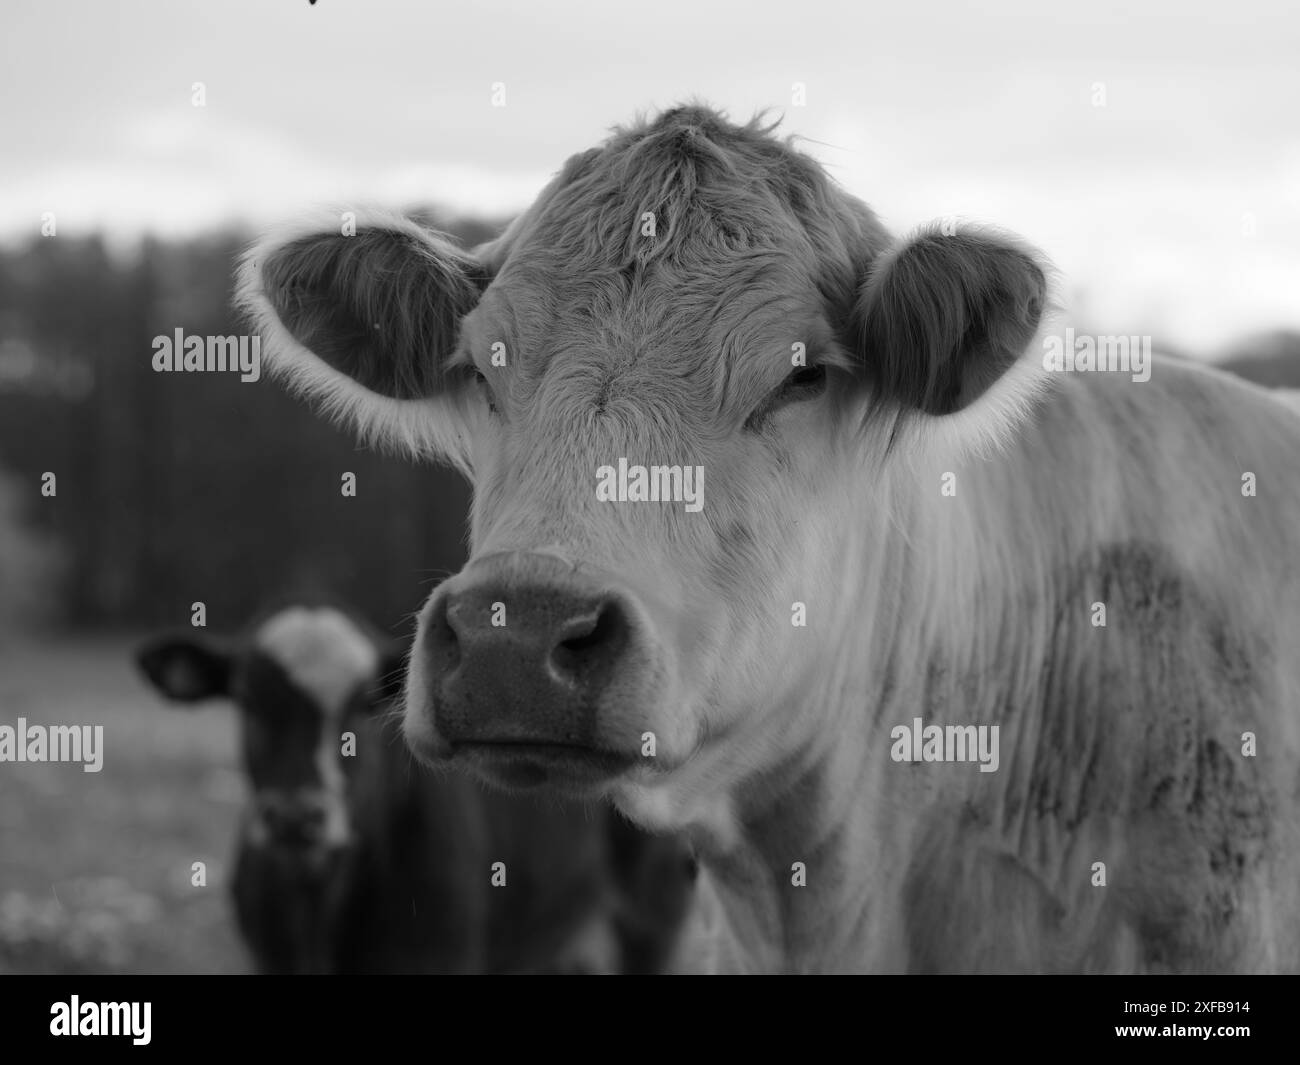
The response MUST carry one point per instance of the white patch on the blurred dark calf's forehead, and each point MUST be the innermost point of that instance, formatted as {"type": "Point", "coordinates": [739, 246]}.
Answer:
{"type": "Point", "coordinates": [322, 651]}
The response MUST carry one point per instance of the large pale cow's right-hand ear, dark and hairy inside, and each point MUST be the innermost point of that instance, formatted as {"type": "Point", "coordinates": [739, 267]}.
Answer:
{"type": "Point", "coordinates": [943, 318]}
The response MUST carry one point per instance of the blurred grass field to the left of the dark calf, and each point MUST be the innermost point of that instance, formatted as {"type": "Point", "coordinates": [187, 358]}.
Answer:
{"type": "Point", "coordinates": [96, 868]}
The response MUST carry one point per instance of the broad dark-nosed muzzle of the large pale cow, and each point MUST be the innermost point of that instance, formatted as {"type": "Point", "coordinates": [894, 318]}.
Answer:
{"type": "Point", "coordinates": [531, 670]}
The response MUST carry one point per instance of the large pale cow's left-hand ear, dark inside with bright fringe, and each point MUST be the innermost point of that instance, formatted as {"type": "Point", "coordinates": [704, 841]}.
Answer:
{"type": "Point", "coordinates": [362, 317]}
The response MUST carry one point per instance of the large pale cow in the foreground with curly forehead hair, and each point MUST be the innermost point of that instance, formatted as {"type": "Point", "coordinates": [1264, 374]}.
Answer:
{"type": "Point", "coordinates": [948, 655]}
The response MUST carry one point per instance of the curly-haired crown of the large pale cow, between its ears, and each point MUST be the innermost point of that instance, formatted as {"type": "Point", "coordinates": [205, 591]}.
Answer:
{"type": "Point", "coordinates": [699, 205]}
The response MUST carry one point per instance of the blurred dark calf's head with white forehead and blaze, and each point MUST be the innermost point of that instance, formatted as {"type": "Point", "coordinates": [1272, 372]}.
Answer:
{"type": "Point", "coordinates": [305, 678]}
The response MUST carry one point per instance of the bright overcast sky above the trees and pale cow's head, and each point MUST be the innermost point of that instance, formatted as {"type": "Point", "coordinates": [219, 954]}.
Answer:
{"type": "Point", "coordinates": [1172, 209]}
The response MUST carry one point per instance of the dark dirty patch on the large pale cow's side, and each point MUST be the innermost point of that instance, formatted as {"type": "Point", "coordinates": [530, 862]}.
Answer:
{"type": "Point", "coordinates": [1136, 751]}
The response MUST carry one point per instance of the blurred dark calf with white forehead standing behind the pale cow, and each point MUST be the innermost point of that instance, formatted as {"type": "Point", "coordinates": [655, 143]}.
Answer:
{"type": "Point", "coordinates": [350, 859]}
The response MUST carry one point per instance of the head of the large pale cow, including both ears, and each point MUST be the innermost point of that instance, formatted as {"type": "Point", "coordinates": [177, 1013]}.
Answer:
{"type": "Point", "coordinates": [692, 311]}
